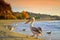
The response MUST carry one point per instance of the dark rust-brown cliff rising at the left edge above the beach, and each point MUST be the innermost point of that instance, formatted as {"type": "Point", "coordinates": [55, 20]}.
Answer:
{"type": "Point", "coordinates": [5, 11]}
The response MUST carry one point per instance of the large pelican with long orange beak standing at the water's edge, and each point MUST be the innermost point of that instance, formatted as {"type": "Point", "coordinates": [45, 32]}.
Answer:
{"type": "Point", "coordinates": [36, 31]}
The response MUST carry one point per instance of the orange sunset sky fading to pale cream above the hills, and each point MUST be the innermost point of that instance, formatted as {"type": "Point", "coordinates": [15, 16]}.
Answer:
{"type": "Point", "coordinates": [50, 7]}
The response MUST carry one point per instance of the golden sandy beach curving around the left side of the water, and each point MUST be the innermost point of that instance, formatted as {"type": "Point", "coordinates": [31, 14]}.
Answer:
{"type": "Point", "coordinates": [6, 34]}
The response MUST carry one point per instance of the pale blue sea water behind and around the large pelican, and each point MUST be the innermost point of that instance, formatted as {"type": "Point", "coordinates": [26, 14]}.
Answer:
{"type": "Point", "coordinates": [52, 26]}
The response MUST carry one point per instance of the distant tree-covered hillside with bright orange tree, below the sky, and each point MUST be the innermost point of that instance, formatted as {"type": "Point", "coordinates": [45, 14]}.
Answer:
{"type": "Point", "coordinates": [25, 14]}
